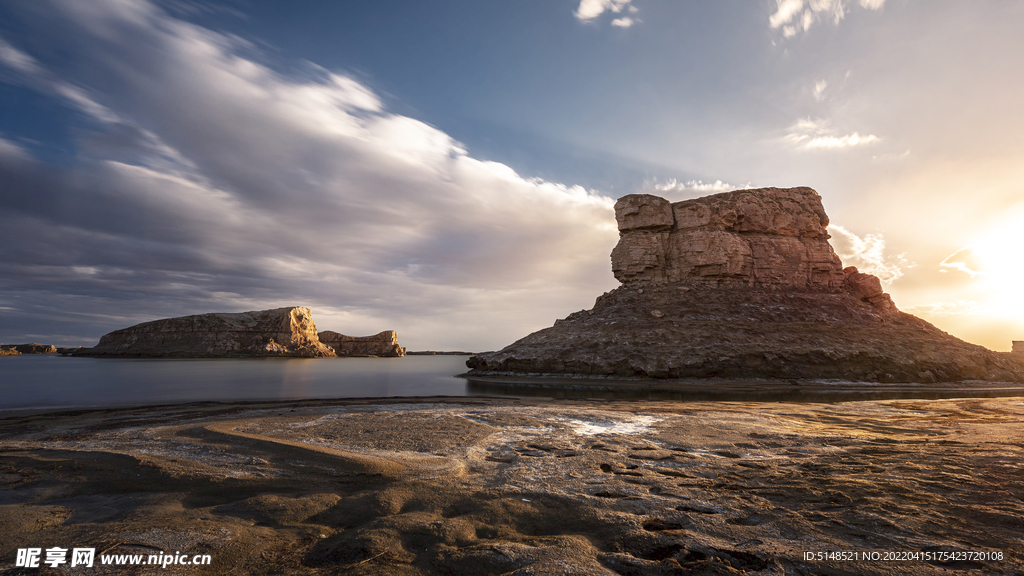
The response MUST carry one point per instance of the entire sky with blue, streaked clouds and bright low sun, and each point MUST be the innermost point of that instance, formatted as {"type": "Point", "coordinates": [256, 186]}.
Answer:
{"type": "Point", "coordinates": [449, 170]}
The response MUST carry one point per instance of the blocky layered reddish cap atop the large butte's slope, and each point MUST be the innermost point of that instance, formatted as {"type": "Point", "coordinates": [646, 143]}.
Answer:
{"type": "Point", "coordinates": [767, 238]}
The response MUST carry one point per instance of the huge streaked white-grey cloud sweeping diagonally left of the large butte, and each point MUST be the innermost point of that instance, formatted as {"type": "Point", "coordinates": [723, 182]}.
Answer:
{"type": "Point", "coordinates": [249, 188]}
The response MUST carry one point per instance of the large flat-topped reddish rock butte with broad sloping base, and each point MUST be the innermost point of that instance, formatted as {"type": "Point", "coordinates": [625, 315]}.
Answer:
{"type": "Point", "coordinates": [743, 285]}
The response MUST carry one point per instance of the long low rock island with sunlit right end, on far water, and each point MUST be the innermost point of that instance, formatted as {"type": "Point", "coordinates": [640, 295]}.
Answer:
{"type": "Point", "coordinates": [281, 333]}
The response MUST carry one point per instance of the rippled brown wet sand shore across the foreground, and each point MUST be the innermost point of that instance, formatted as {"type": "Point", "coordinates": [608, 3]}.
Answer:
{"type": "Point", "coordinates": [501, 486]}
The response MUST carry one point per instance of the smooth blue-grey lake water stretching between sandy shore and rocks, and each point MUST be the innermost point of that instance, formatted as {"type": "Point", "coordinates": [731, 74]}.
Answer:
{"type": "Point", "coordinates": [55, 382]}
